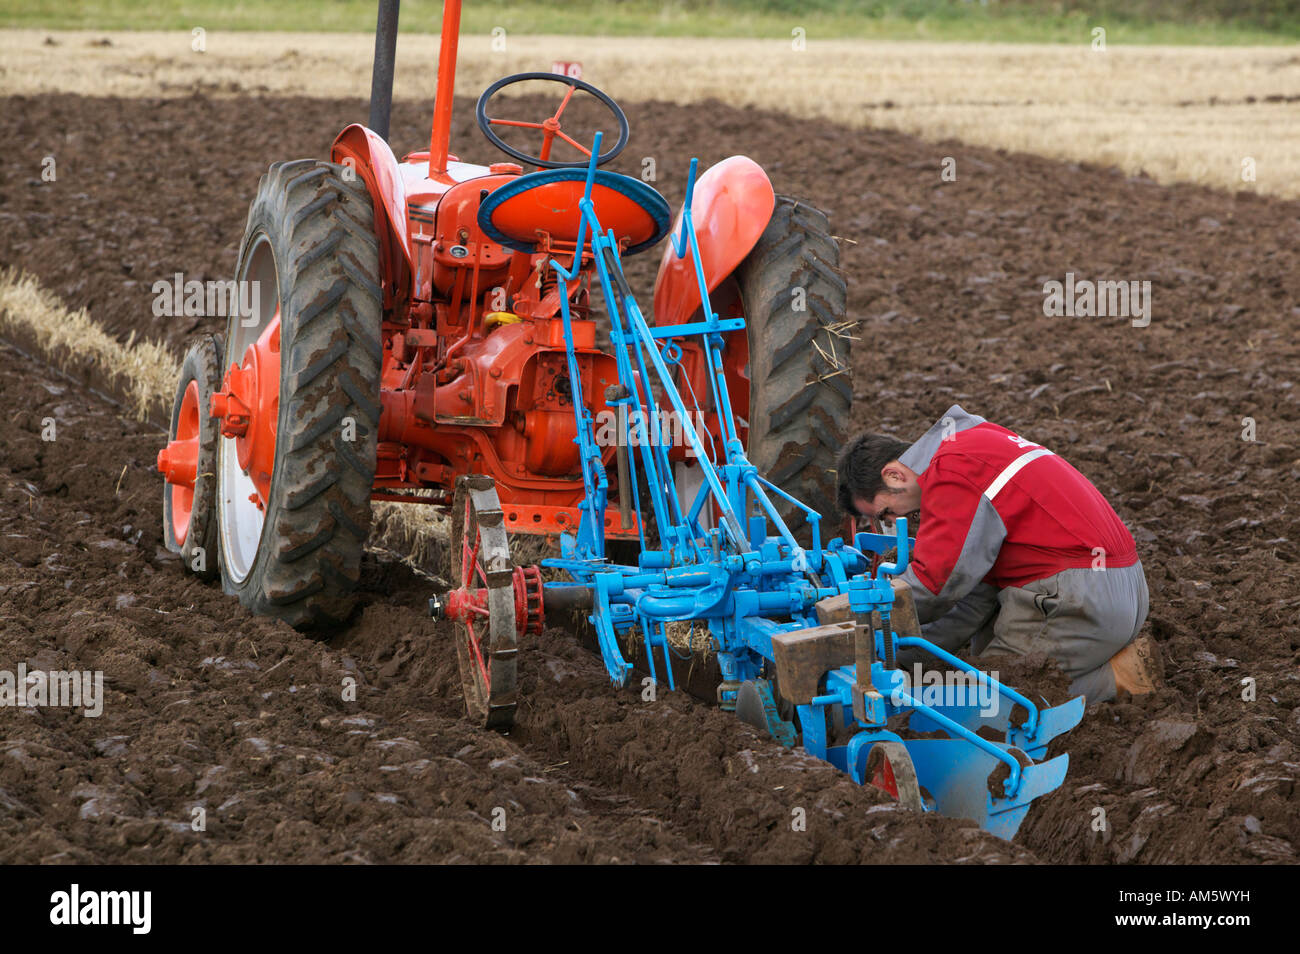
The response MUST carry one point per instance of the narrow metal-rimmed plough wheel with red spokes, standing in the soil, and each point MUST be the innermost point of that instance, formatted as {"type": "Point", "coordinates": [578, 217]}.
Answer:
{"type": "Point", "coordinates": [487, 634]}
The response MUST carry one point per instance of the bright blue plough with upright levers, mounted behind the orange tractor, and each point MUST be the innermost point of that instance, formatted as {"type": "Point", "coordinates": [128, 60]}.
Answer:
{"type": "Point", "coordinates": [727, 562]}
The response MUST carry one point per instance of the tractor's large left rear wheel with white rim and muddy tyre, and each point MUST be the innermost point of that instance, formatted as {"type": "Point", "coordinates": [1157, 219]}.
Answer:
{"type": "Point", "coordinates": [293, 521]}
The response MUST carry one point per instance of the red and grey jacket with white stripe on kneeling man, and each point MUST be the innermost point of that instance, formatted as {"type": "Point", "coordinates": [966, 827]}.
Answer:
{"type": "Point", "coordinates": [999, 509]}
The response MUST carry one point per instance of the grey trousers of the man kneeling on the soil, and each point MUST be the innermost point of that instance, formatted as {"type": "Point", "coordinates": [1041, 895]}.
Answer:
{"type": "Point", "coordinates": [1081, 618]}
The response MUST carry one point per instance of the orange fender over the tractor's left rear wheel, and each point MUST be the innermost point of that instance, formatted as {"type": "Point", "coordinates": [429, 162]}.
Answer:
{"type": "Point", "coordinates": [372, 159]}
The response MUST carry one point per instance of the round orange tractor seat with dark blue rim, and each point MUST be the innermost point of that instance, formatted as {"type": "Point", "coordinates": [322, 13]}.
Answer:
{"type": "Point", "coordinates": [517, 213]}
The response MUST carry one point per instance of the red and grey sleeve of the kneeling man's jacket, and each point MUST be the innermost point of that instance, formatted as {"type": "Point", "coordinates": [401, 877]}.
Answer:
{"type": "Point", "coordinates": [957, 543]}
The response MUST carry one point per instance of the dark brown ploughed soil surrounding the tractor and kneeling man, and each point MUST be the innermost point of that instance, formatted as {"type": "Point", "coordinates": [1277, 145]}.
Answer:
{"type": "Point", "coordinates": [356, 749]}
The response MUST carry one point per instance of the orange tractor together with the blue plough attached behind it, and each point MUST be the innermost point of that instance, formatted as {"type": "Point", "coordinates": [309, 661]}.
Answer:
{"type": "Point", "coordinates": [426, 331]}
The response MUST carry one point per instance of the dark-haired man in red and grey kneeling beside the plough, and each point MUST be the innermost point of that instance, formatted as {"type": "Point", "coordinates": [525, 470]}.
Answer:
{"type": "Point", "coordinates": [1016, 550]}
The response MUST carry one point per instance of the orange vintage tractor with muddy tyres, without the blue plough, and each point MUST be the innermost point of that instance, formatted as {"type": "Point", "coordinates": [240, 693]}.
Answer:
{"type": "Point", "coordinates": [404, 329]}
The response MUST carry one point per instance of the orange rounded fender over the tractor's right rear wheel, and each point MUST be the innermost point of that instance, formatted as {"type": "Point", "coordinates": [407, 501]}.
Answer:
{"type": "Point", "coordinates": [733, 205]}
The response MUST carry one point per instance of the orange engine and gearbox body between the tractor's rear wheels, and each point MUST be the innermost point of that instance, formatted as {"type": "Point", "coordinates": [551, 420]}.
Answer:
{"type": "Point", "coordinates": [475, 376]}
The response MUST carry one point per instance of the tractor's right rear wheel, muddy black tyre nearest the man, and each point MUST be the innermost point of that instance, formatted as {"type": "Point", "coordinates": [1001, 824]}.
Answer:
{"type": "Point", "coordinates": [795, 305]}
